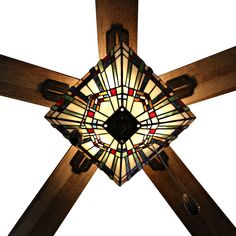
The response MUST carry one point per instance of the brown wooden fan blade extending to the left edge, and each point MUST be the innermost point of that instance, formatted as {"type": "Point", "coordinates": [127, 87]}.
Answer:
{"type": "Point", "coordinates": [24, 81]}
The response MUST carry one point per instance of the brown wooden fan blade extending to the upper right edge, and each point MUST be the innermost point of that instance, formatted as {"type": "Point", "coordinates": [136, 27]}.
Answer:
{"type": "Point", "coordinates": [215, 75]}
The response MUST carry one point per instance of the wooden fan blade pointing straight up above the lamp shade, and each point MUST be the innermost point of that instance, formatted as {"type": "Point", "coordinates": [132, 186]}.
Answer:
{"type": "Point", "coordinates": [110, 12]}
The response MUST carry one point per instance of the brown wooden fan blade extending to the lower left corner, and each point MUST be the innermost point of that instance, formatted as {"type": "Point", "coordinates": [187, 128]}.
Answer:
{"type": "Point", "coordinates": [55, 199]}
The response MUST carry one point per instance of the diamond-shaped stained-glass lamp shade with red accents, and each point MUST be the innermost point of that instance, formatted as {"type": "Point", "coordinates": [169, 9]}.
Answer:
{"type": "Point", "coordinates": [124, 112]}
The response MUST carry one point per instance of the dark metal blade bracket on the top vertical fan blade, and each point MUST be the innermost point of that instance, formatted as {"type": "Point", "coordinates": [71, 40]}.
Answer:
{"type": "Point", "coordinates": [116, 35]}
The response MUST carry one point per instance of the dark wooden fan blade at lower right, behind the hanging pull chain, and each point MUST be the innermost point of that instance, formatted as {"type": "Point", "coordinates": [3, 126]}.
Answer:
{"type": "Point", "coordinates": [211, 220]}
